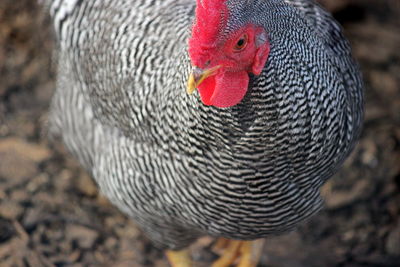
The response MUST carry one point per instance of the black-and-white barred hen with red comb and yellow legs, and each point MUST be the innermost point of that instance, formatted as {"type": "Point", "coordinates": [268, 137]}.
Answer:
{"type": "Point", "coordinates": [277, 110]}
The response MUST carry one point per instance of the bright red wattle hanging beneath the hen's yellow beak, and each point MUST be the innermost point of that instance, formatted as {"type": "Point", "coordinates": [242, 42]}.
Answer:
{"type": "Point", "coordinates": [224, 90]}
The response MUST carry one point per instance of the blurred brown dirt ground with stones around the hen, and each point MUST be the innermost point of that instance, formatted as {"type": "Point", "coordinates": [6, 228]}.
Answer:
{"type": "Point", "coordinates": [51, 213]}
